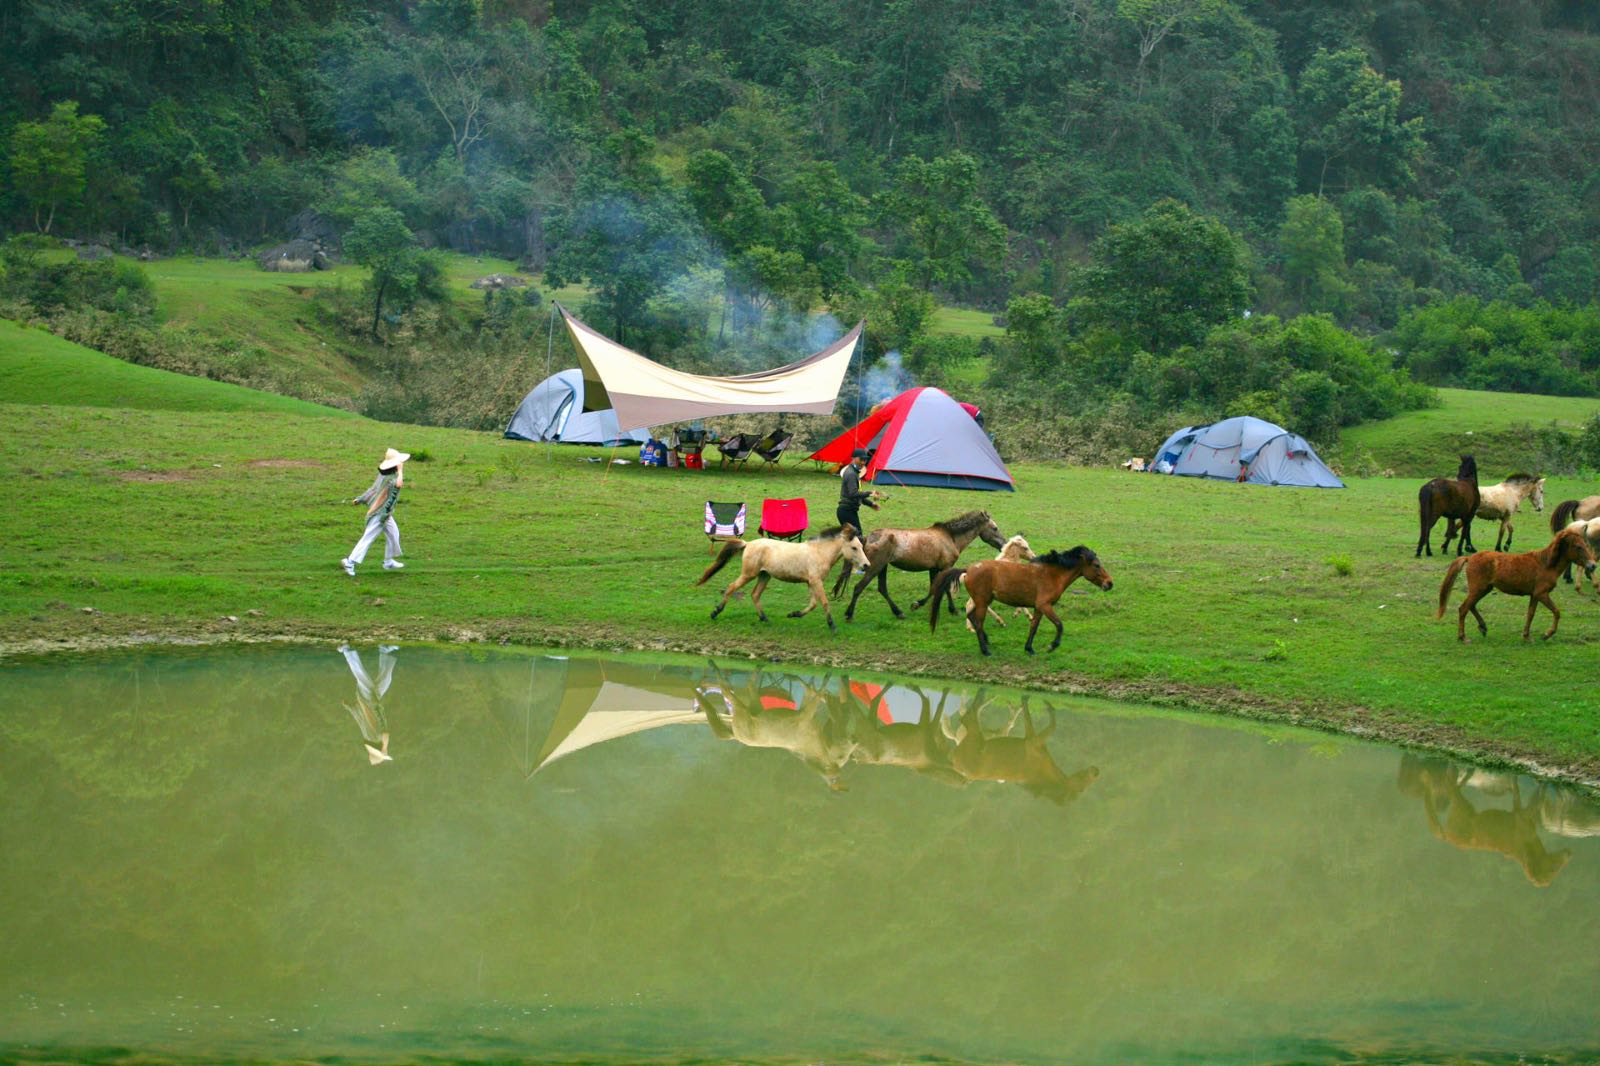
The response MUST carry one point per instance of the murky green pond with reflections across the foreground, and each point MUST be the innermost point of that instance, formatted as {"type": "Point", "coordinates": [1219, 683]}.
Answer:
{"type": "Point", "coordinates": [420, 854]}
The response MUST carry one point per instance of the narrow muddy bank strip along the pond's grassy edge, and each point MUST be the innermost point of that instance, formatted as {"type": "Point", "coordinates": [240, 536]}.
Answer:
{"type": "Point", "coordinates": [94, 633]}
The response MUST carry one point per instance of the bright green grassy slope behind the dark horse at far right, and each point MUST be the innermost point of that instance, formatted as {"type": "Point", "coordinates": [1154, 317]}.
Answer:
{"type": "Point", "coordinates": [1497, 428]}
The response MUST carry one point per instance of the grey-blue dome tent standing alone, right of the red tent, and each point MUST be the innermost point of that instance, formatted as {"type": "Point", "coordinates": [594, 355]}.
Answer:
{"type": "Point", "coordinates": [1271, 455]}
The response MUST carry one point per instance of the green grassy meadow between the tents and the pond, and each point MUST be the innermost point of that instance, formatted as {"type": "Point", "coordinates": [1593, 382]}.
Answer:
{"type": "Point", "coordinates": [207, 518]}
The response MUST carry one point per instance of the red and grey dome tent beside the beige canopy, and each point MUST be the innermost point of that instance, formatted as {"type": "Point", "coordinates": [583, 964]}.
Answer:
{"type": "Point", "coordinates": [922, 438]}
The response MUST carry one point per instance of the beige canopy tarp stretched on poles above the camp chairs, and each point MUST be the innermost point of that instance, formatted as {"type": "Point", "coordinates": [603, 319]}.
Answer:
{"type": "Point", "coordinates": [644, 393]}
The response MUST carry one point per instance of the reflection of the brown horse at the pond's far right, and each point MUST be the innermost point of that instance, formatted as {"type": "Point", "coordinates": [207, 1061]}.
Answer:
{"type": "Point", "coordinates": [1455, 820]}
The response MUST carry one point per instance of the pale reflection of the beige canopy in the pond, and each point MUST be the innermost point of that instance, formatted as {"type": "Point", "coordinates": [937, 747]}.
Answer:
{"type": "Point", "coordinates": [598, 710]}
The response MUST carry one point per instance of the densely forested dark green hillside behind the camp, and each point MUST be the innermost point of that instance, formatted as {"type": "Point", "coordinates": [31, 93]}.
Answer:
{"type": "Point", "coordinates": [1145, 186]}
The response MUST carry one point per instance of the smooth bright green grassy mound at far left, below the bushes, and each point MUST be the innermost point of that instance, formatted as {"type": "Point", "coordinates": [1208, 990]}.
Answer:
{"type": "Point", "coordinates": [38, 367]}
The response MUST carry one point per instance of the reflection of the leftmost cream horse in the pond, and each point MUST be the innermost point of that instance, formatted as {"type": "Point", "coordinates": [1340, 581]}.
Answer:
{"type": "Point", "coordinates": [815, 732]}
